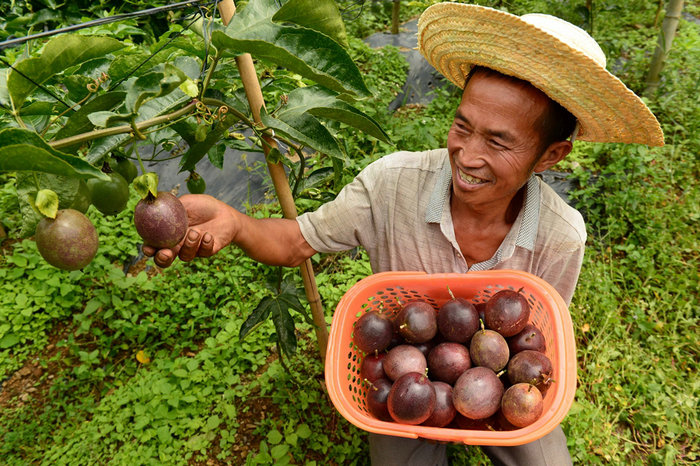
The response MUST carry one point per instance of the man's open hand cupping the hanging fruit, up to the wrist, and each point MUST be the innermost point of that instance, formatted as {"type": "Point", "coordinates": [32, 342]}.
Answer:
{"type": "Point", "coordinates": [212, 226]}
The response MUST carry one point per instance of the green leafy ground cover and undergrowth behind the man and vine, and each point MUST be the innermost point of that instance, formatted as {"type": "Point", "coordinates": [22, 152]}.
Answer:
{"type": "Point", "coordinates": [125, 364]}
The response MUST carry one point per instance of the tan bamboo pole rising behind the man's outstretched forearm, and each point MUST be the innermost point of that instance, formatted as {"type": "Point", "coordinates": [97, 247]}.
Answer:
{"type": "Point", "coordinates": [253, 92]}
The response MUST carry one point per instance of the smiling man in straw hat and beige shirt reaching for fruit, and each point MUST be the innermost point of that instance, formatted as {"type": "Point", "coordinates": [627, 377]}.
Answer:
{"type": "Point", "coordinates": [530, 85]}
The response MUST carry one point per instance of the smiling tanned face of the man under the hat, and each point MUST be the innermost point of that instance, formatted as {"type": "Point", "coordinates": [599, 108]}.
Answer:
{"type": "Point", "coordinates": [493, 142]}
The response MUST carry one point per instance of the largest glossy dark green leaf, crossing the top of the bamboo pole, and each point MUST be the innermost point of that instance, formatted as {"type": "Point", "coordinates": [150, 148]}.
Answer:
{"type": "Point", "coordinates": [309, 53]}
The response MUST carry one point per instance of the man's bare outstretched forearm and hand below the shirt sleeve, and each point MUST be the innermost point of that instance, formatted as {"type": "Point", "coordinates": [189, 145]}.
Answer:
{"type": "Point", "coordinates": [213, 225]}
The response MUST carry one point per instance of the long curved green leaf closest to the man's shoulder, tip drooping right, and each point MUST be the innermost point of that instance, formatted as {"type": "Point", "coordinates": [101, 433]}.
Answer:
{"type": "Point", "coordinates": [325, 103]}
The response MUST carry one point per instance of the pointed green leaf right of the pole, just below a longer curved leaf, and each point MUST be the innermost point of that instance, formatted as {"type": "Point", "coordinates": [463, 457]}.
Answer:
{"type": "Point", "coordinates": [307, 130]}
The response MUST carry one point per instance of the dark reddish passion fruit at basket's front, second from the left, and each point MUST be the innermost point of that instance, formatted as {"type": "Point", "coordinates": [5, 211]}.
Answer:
{"type": "Point", "coordinates": [411, 399]}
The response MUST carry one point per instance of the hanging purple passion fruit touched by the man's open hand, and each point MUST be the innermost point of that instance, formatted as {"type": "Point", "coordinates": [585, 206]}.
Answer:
{"type": "Point", "coordinates": [161, 221]}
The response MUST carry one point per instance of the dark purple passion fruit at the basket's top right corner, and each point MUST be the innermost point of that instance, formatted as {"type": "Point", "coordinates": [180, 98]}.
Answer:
{"type": "Point", "coordinates": [507, 312]}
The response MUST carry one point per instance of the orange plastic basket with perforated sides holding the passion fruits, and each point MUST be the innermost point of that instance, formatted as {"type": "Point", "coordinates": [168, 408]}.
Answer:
{"type": "Point", "coordinates": [380, 292]}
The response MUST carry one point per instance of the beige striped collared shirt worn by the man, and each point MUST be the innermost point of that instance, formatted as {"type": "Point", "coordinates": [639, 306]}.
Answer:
{"type": "Point", "coordinates": [398, 209]}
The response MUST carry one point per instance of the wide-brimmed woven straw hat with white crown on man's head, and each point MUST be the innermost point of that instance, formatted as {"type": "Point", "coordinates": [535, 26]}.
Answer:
{"type": "Point", "coordinates": [555, 56]}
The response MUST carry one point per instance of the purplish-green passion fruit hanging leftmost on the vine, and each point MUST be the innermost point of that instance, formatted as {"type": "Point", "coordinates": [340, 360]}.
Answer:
{"type": "Point", "coordinates": [69, 241]}
